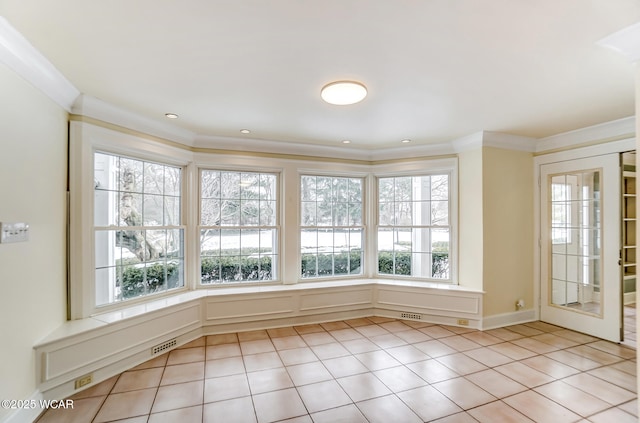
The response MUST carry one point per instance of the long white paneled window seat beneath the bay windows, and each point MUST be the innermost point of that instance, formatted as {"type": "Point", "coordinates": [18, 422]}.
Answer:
{"type": "Point", "coordinates": [123, 340]}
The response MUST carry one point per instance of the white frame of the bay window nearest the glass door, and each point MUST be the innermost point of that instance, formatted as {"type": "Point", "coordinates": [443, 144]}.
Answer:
{"type": "Point", "coordinates": [421, 168]}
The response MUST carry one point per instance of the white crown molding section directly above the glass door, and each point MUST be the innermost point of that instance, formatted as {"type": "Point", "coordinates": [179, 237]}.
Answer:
{"type": "Point", "coordinates": [604, 132]}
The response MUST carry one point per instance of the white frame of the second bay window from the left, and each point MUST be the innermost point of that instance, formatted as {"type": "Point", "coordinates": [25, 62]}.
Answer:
{"type": "Point", "coordinates": [278, 227]}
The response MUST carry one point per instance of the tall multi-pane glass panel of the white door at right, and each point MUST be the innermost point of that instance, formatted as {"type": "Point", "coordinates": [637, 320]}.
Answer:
{"type": "Point", "coordinates": [574, 210]}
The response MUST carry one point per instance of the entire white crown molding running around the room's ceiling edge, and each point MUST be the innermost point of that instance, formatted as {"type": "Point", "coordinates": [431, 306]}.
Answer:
{"type": "Point", "coordinates": [19, 55]}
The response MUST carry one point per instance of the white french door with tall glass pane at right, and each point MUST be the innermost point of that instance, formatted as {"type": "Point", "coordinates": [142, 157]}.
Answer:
{"type": "Point", "coordinates": [580, 246]}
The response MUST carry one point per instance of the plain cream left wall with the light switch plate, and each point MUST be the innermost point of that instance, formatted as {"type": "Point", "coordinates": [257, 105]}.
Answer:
{"type": "Point", "coordinates": [33, 160]}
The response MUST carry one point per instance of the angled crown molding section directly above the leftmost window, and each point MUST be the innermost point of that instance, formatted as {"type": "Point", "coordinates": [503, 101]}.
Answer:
{"type": "Point", "coordinates": [92, 107]}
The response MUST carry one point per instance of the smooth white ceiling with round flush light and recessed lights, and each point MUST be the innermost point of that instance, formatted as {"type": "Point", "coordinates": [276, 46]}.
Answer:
{"type": "Point", "coordinates": [436, 70]}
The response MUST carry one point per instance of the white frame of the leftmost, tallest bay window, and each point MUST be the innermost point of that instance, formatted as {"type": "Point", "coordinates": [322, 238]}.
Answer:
{"type": "Point", "coordinates": [85, 140]}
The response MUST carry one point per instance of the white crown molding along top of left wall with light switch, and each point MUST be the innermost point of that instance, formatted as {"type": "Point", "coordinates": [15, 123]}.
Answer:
{"type": "Point", "coordinates": [24, 59]}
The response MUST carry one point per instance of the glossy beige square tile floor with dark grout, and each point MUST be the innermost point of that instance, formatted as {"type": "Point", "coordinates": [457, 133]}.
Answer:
{"type": "Point", "coordinates": [373, 370]}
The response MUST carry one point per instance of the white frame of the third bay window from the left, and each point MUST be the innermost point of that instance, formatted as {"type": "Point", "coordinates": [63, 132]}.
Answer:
{"type": "Point", "coordinates": [364, 259]}
